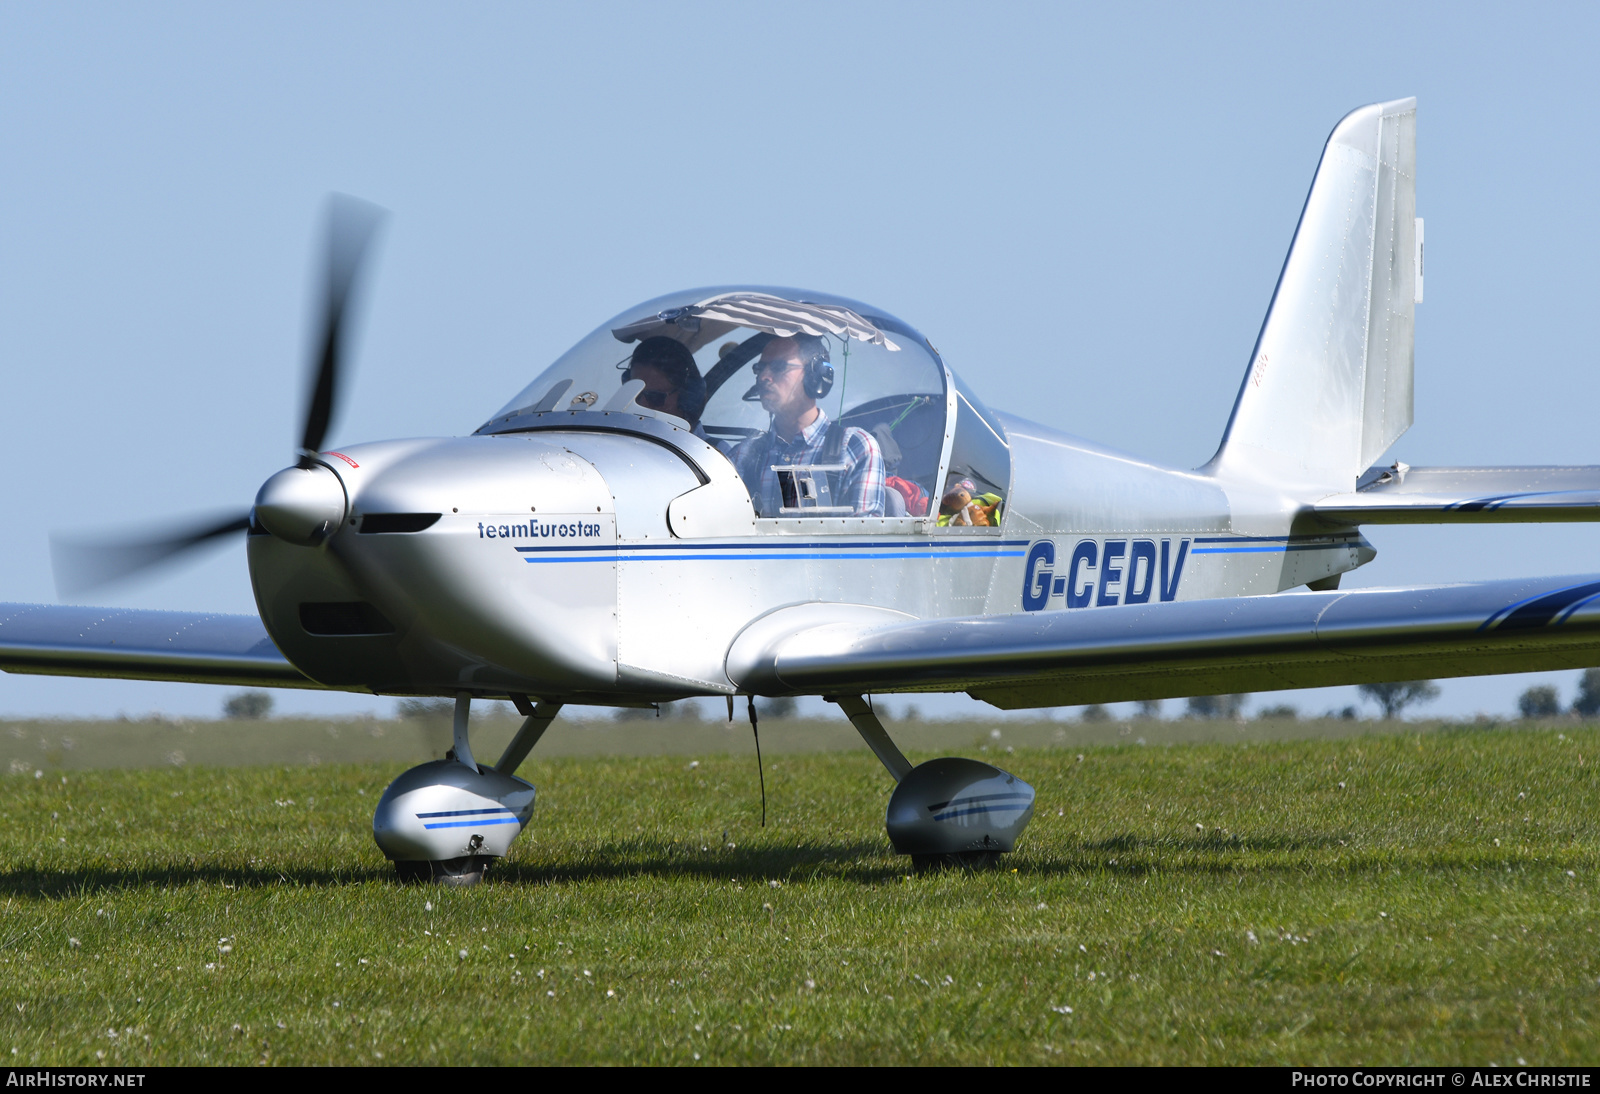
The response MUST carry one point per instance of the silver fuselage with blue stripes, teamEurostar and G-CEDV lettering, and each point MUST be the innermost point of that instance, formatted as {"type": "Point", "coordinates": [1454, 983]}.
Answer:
{"type": "Point", "coordinates": [615, 557]}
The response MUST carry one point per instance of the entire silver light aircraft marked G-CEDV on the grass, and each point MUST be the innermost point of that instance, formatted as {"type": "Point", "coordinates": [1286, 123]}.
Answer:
{"type": "Point", "coordinates": [606, 538]}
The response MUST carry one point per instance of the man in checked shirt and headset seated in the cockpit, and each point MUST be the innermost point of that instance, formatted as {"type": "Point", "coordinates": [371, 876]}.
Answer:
{"type": "Point", "coordinates": [791, 375]}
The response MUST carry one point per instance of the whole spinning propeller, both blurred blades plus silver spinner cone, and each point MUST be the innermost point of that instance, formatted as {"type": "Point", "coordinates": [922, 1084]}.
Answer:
{"type": "Point", "coordinates": [300, 505]}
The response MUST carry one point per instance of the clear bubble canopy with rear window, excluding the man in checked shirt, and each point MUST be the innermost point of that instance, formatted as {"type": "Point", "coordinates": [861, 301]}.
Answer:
{"type": "Point", "coordinates": [887, 381]}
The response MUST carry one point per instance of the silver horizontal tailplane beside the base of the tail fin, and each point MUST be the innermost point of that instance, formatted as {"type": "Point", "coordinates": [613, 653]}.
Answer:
{"type": "Point", "coordinates": [1466, 495]}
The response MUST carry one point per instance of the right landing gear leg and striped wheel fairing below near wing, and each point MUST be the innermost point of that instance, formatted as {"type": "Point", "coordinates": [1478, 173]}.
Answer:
{"type": "Point", "coordinates": [946, 812]}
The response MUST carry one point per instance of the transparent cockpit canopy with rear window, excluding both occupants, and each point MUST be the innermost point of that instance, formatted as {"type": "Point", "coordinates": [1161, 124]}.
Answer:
{"type": "Point", "coordinates": [930, 429]}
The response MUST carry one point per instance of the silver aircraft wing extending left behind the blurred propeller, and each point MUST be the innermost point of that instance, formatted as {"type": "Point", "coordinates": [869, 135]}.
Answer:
{"type": "Point", "coordinates": [143, 645]}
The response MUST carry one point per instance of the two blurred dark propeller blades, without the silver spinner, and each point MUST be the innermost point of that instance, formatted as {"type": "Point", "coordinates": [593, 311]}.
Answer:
{"type": "Point", "coordinates": [82, 565]}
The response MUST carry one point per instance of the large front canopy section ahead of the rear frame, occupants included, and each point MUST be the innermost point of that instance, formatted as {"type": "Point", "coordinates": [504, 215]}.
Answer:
{"type": "Point", "coordinates": [713, 361]}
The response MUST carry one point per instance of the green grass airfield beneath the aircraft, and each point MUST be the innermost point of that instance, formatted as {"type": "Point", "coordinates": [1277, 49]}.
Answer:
{"type": "Point", "coordinates": [1388, 898]}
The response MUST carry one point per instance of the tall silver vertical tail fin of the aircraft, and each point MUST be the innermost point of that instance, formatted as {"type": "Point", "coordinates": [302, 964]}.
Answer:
{"type": "Point", "coordinates": [1329, 388]}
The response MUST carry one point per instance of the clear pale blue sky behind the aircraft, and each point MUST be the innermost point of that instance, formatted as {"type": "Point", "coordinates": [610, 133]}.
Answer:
{"type": "Point", "coordinates": [1084, 207]}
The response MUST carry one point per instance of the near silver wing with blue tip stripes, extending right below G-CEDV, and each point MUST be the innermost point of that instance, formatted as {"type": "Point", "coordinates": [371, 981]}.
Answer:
{"type": "Point", "coordinates": [1207, 647]}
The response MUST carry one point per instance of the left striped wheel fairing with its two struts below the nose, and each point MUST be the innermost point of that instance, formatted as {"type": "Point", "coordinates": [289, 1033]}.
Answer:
{"type": "Point", "coordinates": [447, 821]}
